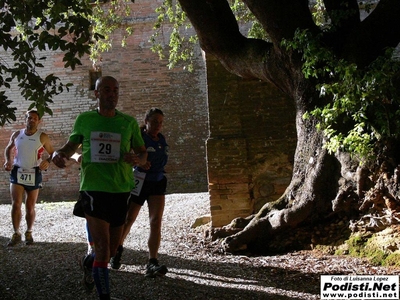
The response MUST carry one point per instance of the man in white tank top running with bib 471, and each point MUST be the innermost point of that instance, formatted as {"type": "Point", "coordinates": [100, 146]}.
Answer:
{"type": "Point", "coordinates": [23, 159]}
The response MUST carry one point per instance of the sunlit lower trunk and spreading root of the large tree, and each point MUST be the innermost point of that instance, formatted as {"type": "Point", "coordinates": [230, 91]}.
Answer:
{"type": "Point", "coordinates": [309, 197]}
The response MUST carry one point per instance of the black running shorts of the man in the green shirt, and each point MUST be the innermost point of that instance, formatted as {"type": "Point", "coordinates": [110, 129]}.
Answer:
{"type": "Point", "coordinates": [110, 207]}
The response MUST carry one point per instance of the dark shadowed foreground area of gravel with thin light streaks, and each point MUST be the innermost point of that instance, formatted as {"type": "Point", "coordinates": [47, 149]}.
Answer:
{"type": "Point", "coordinates": [51, 271]}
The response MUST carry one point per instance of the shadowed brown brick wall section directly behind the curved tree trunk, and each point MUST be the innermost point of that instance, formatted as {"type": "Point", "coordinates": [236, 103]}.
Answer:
{"type": "Point", "coordinates": [251, 144]}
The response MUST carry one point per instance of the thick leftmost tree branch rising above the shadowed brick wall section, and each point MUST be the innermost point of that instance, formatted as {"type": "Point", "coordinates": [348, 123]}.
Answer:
{"type": "Point", "coordinates": [219, 35]}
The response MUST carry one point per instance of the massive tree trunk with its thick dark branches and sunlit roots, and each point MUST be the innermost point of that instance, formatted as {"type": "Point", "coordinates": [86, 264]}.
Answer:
{"type": "Point", "coordinates": [320, 181]}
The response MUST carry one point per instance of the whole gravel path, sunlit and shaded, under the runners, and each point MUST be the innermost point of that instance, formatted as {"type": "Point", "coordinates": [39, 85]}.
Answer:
{"type": "Point", "coordinates": [49, 268]}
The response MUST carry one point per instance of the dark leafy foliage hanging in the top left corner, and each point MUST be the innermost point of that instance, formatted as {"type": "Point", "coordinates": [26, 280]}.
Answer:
{"type": "Point", "coordinates": [29, 27]}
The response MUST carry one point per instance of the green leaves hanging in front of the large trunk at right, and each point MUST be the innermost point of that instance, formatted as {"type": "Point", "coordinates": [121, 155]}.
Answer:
{"type": "Point", "coordinates": [363, 105]}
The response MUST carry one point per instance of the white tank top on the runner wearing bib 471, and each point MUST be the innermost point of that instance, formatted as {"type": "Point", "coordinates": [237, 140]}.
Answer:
{"type": "Point", "coordinates": [28, 150]}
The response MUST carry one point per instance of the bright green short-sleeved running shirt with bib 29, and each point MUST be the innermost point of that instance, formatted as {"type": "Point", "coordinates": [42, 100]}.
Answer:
{"type": "Point", "coordinates": [104, 141]}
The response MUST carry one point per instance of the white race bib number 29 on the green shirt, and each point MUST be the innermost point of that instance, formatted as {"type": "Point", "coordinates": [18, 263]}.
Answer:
{"type": "Point", "coordinates": [105, 146]}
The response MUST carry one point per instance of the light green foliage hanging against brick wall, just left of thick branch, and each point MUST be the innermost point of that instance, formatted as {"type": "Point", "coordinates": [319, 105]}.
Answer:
{"type": "Point", "coordinates": [180, 46]}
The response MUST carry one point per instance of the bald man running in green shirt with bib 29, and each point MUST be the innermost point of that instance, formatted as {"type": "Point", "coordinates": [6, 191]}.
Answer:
{"type": "Point", "coordinates": [111, 144]}
